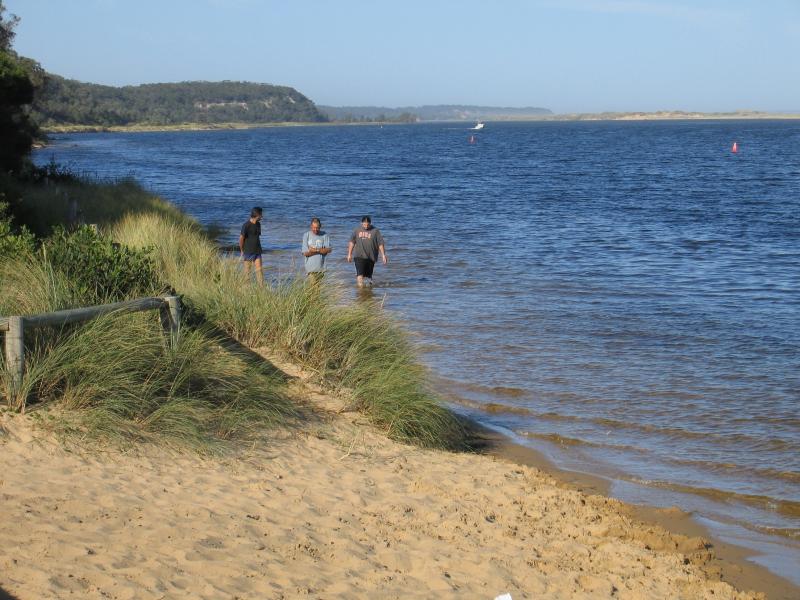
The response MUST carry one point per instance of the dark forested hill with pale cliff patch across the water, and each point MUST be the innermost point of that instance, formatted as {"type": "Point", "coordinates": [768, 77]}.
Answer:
{"type": "Point", "coordinates": [61, 101]}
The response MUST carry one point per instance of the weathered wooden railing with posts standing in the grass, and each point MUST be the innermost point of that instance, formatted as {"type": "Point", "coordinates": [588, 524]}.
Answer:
{"type": "Point", "coordinates": [15, 326]}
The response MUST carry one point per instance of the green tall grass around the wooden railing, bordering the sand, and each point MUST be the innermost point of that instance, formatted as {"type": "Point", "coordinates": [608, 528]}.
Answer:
{"type": "Point", "coordinates": [118, 377]}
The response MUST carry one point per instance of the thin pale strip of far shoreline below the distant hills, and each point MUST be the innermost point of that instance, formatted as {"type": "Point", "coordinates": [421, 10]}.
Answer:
{"type": "Point", "coordinates": [628, 116]}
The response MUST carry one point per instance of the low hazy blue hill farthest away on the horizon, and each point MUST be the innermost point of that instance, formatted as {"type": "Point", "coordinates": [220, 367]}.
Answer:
{"type": "Point", "coordinates": [443, 112]}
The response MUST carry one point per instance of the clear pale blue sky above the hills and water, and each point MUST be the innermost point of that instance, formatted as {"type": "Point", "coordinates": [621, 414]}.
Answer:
{"type": "Point", "coordinates": [568, 55]}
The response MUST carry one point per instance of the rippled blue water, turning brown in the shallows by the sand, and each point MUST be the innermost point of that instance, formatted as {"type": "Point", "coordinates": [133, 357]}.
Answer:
{"type": "Point", "coordinates": [622, 296]}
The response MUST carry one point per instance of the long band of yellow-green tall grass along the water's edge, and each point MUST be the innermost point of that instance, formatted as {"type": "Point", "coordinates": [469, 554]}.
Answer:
{"type": "Point", "coordinates": [354, 346]}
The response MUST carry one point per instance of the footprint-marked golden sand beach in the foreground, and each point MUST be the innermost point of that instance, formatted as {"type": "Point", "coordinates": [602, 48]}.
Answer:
{"type": "Point", "coordinates": [332, 509]}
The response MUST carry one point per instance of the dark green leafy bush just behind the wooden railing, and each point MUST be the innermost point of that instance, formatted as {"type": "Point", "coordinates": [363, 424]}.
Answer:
{"type": "Point", "coordinates": [100, 270]}
